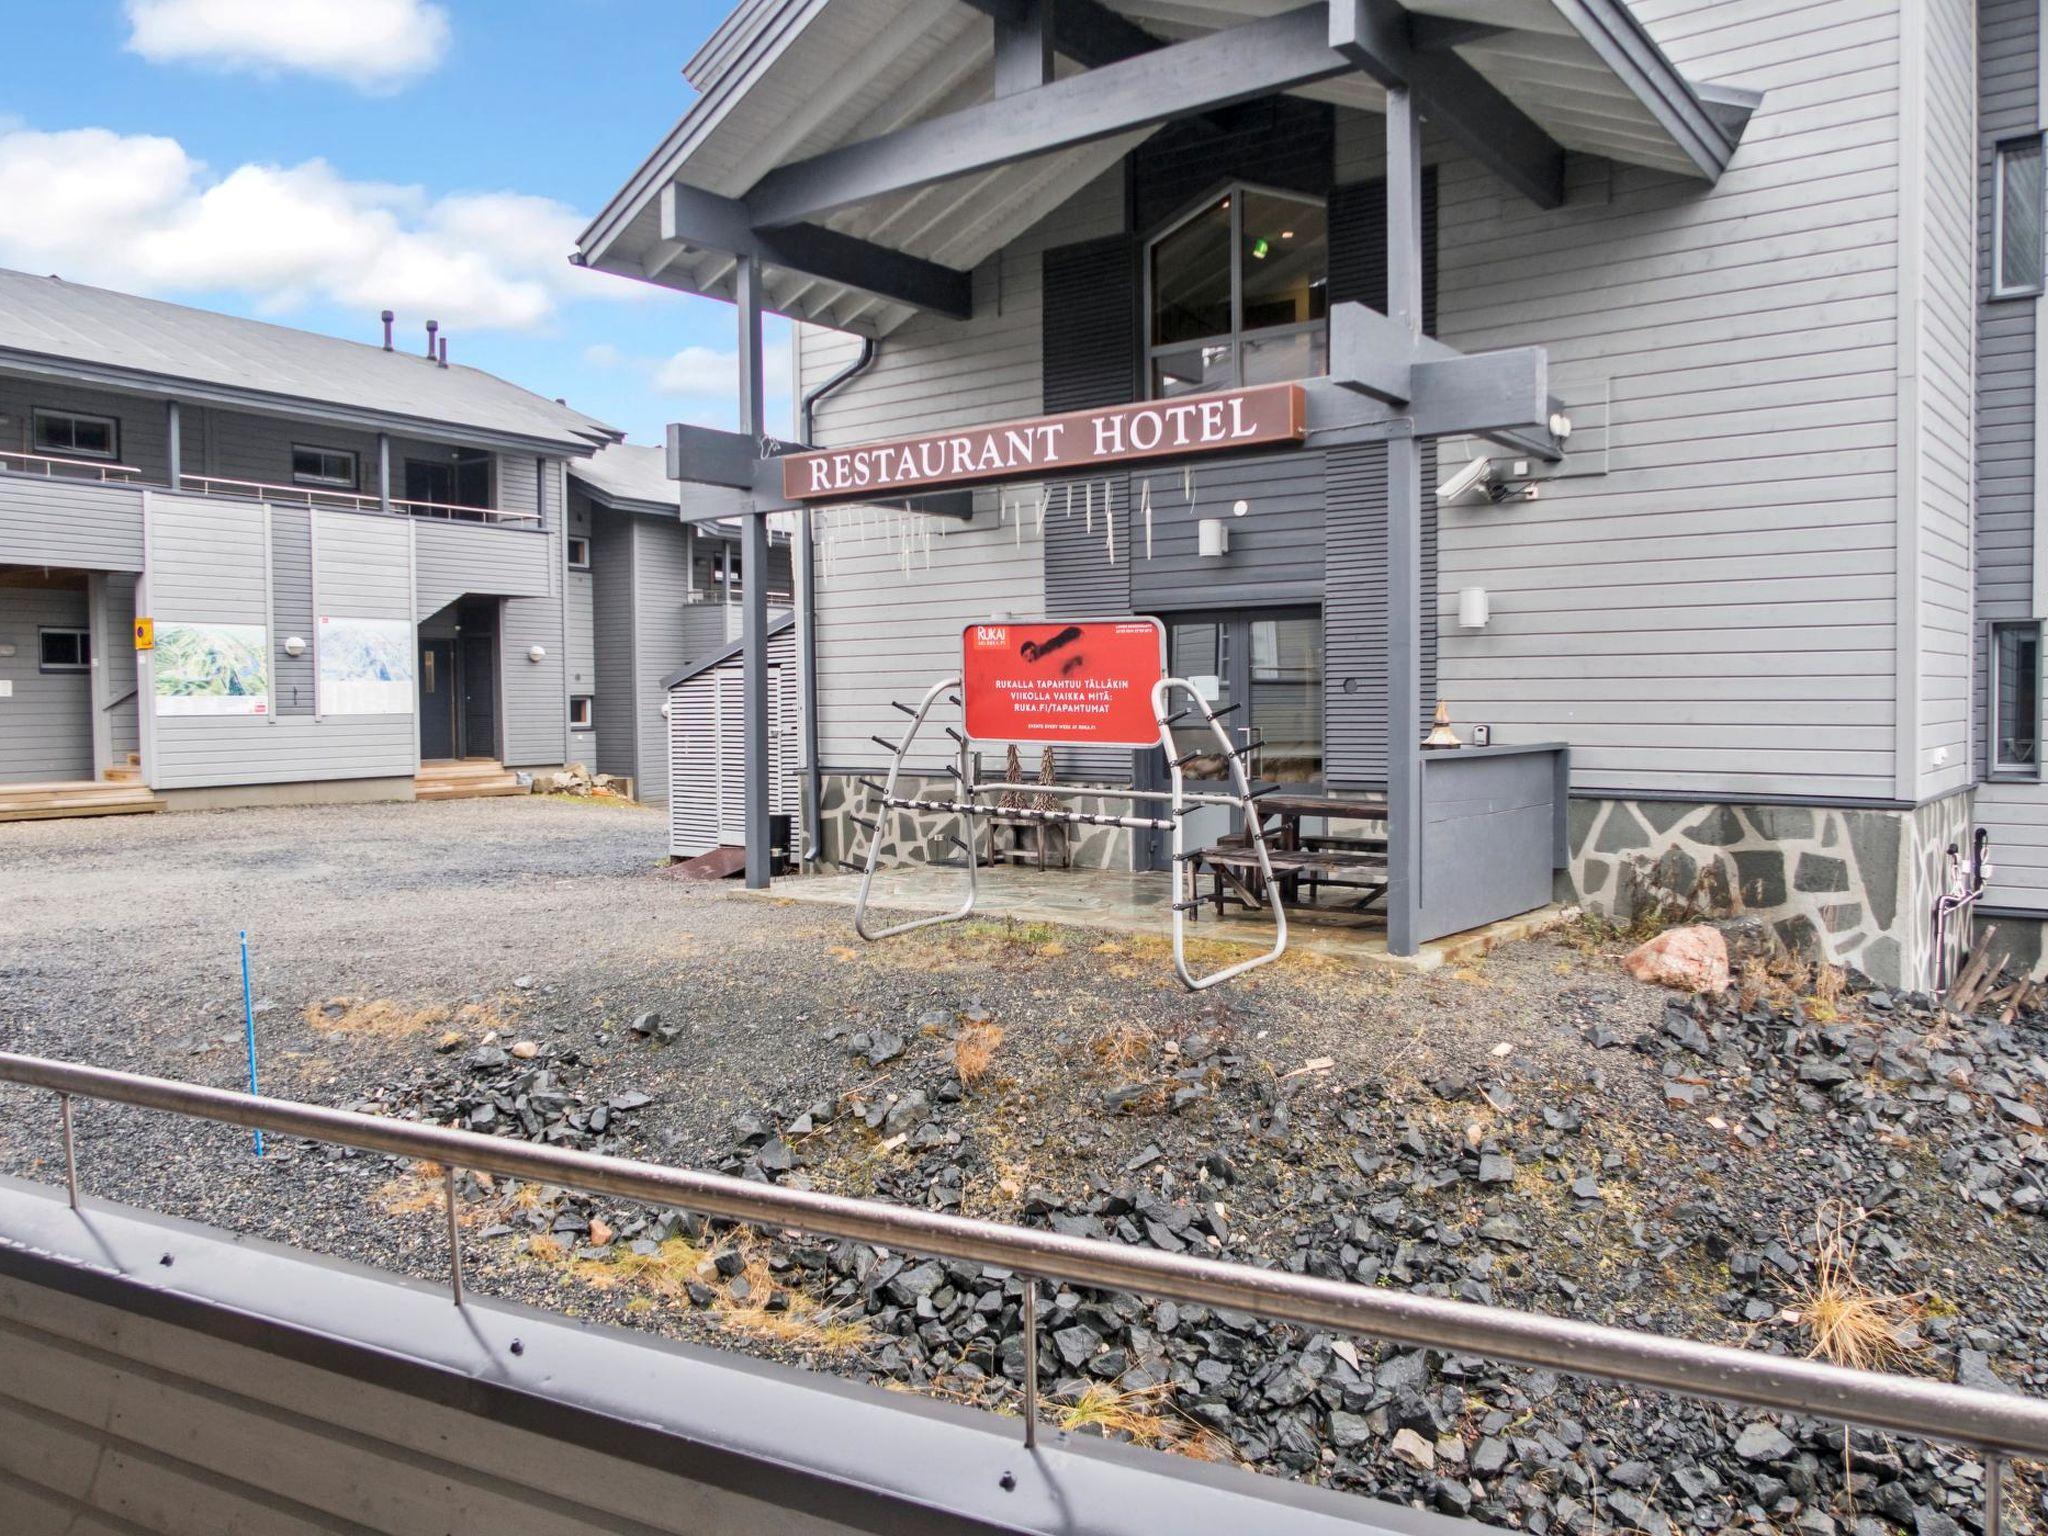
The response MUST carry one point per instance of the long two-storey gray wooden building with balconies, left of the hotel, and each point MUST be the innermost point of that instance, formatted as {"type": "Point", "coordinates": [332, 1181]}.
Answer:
{"type": "Point", "coordinates": [368, 572]}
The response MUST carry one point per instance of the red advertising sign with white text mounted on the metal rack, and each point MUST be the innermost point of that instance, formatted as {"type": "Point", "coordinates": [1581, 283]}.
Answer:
{"type": "Point", "coordinates": [1082, 683]}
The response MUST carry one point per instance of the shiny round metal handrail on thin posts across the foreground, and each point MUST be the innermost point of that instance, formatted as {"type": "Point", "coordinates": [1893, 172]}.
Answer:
{"type": "Point", "coordinates": [1996, 1424]}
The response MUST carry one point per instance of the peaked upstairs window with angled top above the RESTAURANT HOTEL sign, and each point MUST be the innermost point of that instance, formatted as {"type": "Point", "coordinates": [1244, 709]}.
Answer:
{"type": "Point", "coordinates": [1238, 294]}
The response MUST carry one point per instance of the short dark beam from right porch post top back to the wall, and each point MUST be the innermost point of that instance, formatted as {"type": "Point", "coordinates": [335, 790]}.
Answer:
{"type": "Point", "coordinates": [1453, 95]}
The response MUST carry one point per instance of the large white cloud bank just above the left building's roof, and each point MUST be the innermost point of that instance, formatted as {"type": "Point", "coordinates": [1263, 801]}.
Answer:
{"type": "Point", "coordinates": [138, 212]}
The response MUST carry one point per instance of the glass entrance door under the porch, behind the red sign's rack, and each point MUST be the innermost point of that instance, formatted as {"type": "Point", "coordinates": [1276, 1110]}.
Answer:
{"type": "Point", "coordinates": [1271, 665]}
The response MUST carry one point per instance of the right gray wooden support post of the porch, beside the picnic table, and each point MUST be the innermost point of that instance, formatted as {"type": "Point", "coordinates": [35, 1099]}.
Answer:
{"type": "Point", "coordinates": [1404, 546]}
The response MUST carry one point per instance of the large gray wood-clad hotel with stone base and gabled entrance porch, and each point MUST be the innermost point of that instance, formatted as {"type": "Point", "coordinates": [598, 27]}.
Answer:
{"type": "Point", "coordinates": [1781, 593]}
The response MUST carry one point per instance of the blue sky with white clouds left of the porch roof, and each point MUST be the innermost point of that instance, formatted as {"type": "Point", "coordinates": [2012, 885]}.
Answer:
{"type": "Point", "coordinates": [316, 161]}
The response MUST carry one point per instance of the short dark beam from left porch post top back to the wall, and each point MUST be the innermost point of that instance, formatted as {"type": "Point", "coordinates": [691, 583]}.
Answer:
{"type": "Point", "coordinates": [712, 222]}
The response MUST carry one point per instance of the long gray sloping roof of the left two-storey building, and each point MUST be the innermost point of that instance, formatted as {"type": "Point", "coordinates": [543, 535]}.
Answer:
{"type": "Point", "coordinates": [169, 349]}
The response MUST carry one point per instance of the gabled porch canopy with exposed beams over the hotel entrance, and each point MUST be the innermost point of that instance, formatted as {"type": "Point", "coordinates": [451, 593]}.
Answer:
{"type": "Point", "coordinates": [871, 153]}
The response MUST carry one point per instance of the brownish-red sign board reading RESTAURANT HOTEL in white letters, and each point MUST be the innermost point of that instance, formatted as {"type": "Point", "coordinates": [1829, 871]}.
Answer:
{"type": "Point", "coordinates": [1048, 445]}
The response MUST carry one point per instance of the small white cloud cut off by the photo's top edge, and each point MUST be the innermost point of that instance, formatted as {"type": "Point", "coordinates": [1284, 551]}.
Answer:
{"type": "Point", "coordinates": [370, 44]}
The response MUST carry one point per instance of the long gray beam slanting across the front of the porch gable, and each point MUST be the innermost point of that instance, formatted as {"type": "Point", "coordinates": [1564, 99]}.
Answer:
{"type": "Point", "coordinates": [1183, 81]}
